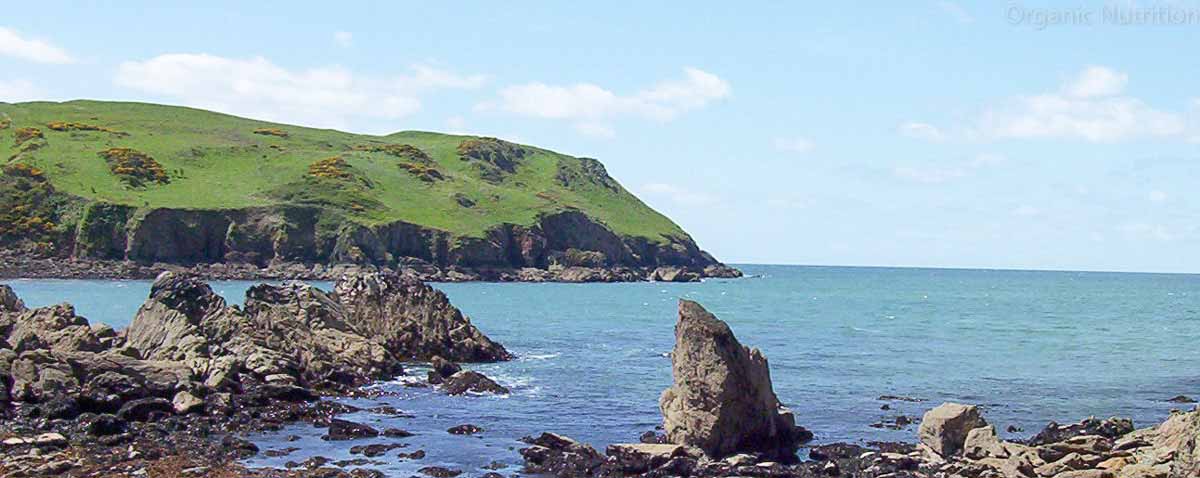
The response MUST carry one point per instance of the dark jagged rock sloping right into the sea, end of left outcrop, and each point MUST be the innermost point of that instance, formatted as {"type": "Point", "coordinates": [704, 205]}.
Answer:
{"type": "Point", "coordinates": [413, 320]}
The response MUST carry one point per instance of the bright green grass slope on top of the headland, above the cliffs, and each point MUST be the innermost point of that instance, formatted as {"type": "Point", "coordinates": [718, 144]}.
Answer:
{"type": "Point", "coordinates": [218, 162]}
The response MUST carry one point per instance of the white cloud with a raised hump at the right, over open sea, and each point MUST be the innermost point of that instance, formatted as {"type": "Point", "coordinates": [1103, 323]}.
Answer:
{"type": "Point", "coordinates": [1090, 109]}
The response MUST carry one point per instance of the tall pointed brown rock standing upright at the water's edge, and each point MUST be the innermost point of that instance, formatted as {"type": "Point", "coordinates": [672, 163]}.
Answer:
{"type": "Point", "coordinates": [722, 401]}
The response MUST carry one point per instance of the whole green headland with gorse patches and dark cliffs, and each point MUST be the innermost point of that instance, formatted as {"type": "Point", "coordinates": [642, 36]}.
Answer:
{"type": "Point", "coordinates": [85, 171]}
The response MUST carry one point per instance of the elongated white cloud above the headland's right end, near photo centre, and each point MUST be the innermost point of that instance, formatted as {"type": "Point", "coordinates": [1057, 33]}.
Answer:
{"type": "Point", "coordinates": [593, 106]}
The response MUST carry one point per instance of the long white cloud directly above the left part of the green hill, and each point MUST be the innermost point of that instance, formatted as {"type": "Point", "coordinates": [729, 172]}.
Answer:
{"type": "Point", "coordinates": [257, 88]}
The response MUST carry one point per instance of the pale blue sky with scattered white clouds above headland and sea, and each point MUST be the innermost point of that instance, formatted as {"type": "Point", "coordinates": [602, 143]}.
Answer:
{"type": "Point", "coordinates": [931, 134]}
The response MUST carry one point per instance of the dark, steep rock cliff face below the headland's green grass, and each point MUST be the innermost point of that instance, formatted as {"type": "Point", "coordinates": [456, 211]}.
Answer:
{"type": "Point", "coordinates": [263, 236]}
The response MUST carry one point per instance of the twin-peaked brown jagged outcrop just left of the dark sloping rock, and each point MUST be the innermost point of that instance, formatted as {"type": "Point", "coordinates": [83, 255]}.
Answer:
{"type": "Point", "coordinates": [292, 331]}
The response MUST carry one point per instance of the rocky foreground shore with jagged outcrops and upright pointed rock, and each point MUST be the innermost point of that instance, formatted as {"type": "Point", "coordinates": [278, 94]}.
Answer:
{"type": "Point", "coordinates": [176, 395]}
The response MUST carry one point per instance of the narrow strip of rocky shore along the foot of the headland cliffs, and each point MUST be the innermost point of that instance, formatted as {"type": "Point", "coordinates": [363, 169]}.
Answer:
{"type": "Point", "coordinates": [16, 265]}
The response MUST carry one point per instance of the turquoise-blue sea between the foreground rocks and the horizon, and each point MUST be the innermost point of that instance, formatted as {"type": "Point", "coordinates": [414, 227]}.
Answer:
{"type": "Point", "coordinates": [1029, 346]}
